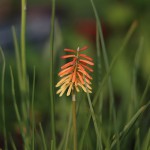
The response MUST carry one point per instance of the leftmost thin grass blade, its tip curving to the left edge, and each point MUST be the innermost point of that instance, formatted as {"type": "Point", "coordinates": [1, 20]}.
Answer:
{"type": "Point", "coordinates": [3, 98]}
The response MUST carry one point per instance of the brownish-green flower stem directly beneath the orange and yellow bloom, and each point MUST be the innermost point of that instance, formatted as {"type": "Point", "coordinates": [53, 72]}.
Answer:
{"type": "Point", "coordinates": [74, 120]}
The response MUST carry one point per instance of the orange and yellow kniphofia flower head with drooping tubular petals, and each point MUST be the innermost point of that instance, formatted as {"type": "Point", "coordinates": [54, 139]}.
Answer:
{"type": "Point", "coordinates": [75, 74]}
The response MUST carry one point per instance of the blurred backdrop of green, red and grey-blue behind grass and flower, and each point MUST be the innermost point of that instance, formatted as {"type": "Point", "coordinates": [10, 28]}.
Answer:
{"type": "Point", "coordinates": [75, 26]}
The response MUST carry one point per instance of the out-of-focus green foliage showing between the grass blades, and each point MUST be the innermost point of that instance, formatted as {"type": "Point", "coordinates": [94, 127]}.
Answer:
{"type": "Point", "coordinates": [117, 16]}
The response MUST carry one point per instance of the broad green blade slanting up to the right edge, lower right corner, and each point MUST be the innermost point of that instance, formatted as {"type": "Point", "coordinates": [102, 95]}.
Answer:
{"type": "Point", "coordinates": [130, 124]}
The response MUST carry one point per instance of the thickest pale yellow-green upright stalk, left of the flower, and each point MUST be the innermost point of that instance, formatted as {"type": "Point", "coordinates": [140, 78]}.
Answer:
{"type": "Point", "coordinates": [24, 90]}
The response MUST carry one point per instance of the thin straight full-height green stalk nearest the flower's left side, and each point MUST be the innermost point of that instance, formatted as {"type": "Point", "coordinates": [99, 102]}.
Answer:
{"type": "Point", "coordinates": [51, 76]}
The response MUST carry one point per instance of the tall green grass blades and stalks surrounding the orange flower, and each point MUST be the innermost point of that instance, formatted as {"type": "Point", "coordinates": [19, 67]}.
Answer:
{"type": "Point", "coordinates": [97, 127]}
